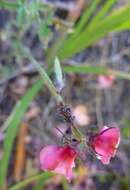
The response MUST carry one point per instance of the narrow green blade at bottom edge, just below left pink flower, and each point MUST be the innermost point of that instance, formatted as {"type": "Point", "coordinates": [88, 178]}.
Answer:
{"type": "Point", "coordinates": [36, 178]}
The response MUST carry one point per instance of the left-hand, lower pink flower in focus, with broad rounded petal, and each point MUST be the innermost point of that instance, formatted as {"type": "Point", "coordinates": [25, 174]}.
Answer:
{"type": "Point", "coordinates": [58, 159]}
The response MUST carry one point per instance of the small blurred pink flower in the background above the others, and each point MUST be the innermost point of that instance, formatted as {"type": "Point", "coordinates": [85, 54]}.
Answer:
{"type": "Point", "coordinates": [105, 81]}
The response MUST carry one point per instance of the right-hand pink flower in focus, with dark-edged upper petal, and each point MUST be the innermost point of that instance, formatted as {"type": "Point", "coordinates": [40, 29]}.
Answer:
{"type": "Point", "coordinates": [106, 143]}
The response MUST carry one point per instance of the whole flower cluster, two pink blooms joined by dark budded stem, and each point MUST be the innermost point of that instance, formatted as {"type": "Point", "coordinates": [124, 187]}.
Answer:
{"type": "Point", "coordinates": [60, 159]}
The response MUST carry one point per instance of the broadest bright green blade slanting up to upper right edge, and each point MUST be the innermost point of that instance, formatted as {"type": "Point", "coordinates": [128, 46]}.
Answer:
{"type": "Point", "coordinates": [92, 34]}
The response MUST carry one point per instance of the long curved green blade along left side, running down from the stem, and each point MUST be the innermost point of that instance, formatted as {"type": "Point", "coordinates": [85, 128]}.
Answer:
{"type": "Point", "coordinates": [11, 125]}
